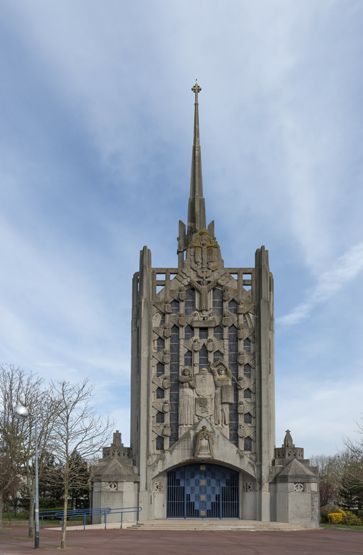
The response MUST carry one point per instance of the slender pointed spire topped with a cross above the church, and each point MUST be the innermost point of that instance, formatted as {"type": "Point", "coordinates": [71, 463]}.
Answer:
{"type": "Point", "coordinates": [196, 206]}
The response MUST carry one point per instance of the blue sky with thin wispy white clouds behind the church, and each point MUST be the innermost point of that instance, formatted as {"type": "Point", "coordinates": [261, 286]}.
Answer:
{"type": "Point", "coordinates": [95, 152]}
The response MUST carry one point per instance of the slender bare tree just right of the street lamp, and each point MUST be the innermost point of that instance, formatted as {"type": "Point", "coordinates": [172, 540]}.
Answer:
{"type": "Point", "coordinates": [78, 433]}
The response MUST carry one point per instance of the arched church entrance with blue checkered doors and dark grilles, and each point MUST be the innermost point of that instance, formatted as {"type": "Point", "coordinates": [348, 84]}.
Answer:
{"type": "Point", "coordinates": [203, 491]}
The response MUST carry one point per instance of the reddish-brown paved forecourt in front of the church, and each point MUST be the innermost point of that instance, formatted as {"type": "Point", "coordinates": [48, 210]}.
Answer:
{"type": "Point", "coordinates": [13, 541]}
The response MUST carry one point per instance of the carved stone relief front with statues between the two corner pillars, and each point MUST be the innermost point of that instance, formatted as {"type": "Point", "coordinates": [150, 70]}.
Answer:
{"type": "Point", "coordinates": [204, 344]}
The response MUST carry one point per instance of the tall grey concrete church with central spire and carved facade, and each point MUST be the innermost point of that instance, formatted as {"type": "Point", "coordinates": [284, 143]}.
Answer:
{"type": "Point", "coordinates": [202, 390]}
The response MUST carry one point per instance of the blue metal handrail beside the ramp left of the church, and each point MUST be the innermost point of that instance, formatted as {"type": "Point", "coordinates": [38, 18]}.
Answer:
{"type": "Point", "coordinates": [102, 512]}
